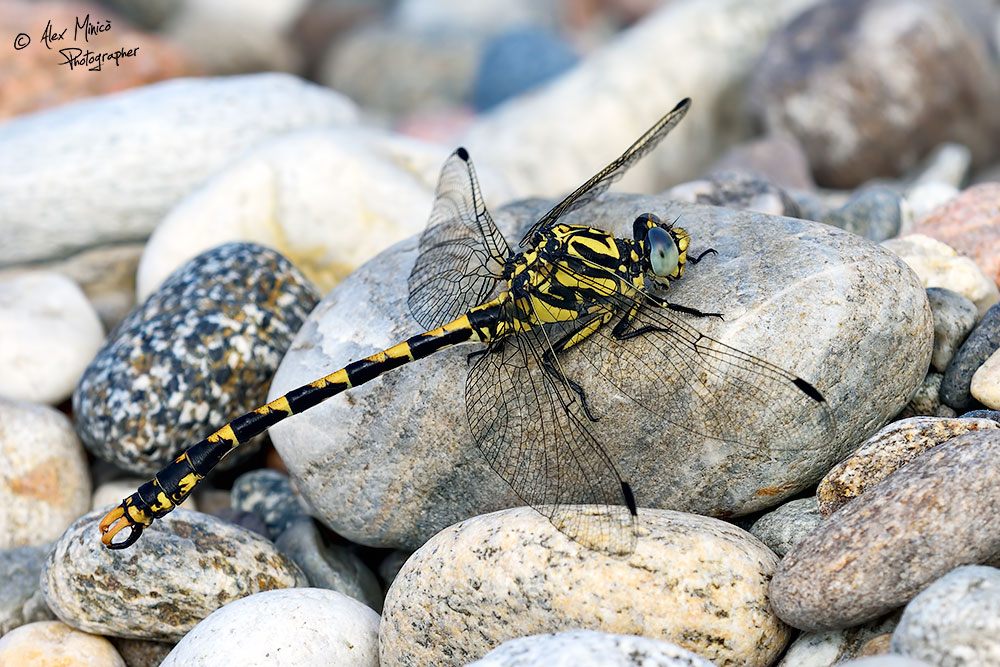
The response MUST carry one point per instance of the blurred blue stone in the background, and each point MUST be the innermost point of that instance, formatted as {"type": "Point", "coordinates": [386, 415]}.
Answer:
{"type": "Point", "coordinates": [516, 61]}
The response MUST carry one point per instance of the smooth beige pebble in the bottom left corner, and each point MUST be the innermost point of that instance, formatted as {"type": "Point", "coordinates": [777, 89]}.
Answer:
{"type": "Point", "coordinates": [55, 644]}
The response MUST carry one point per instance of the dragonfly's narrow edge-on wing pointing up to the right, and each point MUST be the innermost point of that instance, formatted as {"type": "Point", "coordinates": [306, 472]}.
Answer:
{"type": "Point", "coordinates": [603, 179]}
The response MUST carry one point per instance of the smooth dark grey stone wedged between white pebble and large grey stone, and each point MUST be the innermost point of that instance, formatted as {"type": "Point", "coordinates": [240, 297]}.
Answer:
{"type": "Point", "coordinates": [333, 567]}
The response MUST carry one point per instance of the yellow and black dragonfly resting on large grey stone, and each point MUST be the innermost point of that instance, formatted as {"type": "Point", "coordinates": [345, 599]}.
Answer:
{"type": "Point", "coordinates": [568, 287]}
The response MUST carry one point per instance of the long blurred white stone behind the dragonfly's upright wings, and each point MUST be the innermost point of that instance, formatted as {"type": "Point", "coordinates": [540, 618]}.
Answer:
{"type": "Point", "coordinates": [585, 118]}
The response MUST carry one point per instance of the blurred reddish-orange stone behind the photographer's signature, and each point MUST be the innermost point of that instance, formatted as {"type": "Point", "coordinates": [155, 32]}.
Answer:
{"type": "Point", "coordinates": [36, 78]}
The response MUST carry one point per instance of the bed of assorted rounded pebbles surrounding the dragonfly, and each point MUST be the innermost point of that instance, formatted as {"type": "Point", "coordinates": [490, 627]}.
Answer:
{"type": "Point", "coordinates": [227, 237]}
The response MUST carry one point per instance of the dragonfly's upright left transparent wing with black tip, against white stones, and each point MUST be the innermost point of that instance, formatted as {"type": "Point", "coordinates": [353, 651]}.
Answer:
{"type": "Point", "coordinates": [462, 252]}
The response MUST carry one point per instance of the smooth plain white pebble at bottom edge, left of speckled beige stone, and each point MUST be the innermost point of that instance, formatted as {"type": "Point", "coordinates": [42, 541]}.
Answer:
{"type": "Point", "coordinates": [297, 626]}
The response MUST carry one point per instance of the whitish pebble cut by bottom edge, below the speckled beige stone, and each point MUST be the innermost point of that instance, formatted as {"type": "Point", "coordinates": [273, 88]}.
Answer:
{"type": "Point", "coordinates": [586, 648]}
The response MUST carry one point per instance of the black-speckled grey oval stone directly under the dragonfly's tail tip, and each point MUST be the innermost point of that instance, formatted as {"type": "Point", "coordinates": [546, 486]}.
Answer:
{"type": "Point", "coordinates": [185, 566]}
